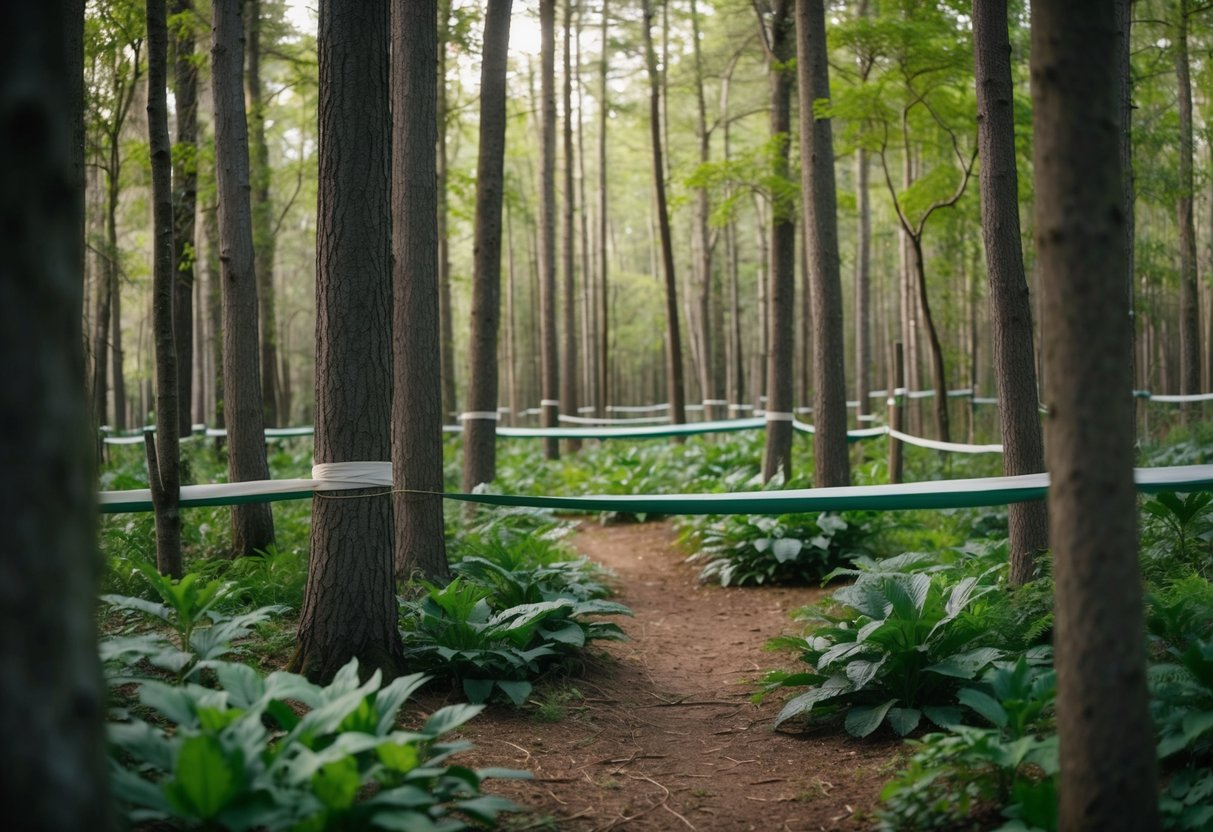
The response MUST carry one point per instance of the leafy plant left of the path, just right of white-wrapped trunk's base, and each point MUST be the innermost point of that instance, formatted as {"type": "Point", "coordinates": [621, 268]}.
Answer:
{"type": "Point", "coordinates": [454, 631]}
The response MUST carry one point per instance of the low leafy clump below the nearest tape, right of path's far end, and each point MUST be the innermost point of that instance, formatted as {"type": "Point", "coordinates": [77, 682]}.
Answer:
{"type": "Point", "coordinates": [743, 550]}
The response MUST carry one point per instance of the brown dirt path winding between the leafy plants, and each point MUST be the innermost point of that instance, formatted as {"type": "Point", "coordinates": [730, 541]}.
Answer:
{"type": "Point", "coordinates": [660, 734]}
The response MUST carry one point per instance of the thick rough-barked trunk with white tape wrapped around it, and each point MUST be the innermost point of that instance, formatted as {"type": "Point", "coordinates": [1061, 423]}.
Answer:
{"type": "Point", "coordinates": [350, 608]}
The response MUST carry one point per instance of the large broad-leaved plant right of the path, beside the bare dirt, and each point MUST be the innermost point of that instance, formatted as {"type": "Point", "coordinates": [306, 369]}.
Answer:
{"type": "Point", "coordinates": [895, 652]}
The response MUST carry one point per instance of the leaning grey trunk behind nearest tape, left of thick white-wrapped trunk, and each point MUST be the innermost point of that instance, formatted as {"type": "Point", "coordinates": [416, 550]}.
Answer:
{"type": "Point", "coordinates": [253, 527]}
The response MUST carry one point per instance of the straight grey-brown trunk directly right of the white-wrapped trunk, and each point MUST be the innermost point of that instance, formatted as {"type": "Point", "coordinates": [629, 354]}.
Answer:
{"type": "Point", "coordinates": [417, 402]}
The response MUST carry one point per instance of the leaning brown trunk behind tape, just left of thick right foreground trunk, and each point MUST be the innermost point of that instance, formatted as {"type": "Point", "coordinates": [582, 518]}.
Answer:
{"type": "Point", "coordinates": [1011, 310]}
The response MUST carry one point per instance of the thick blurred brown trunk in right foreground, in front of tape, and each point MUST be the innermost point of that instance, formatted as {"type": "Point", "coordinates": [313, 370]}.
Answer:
{"type": "Point", "coordinates": [1109, 778]}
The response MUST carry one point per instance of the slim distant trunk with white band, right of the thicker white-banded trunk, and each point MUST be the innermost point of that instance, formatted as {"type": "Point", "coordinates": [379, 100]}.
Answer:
{"type": "Point", "coordinates": [550, 404]}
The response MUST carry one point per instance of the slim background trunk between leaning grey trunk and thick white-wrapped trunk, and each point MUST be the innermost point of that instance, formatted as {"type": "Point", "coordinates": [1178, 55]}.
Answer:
{"type": "Point", "coordinates": [263, 215]}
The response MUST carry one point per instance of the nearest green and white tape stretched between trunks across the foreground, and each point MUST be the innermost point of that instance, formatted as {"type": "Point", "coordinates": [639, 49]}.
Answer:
{"type": "Point", "coordinates": [937, 494]}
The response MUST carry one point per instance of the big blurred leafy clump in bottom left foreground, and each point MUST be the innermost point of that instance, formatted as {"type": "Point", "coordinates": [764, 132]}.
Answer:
{"type": "Point", "coordinates": [242, 757]}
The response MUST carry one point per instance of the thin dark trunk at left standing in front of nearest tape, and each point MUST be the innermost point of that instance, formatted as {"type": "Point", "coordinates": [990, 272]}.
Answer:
{"type": "Point", "coordinates": [164, 452]}
